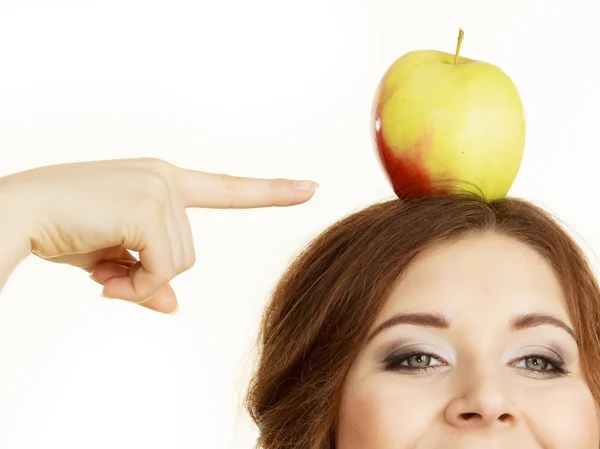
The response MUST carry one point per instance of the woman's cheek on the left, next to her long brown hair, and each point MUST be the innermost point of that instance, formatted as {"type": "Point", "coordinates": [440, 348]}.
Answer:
{"type": "Point", "coordinates": [379, 413]}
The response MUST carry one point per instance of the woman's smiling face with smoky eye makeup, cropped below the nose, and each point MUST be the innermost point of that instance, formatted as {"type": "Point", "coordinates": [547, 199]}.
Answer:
{"type": "Point", "coordinates": [474, 349]}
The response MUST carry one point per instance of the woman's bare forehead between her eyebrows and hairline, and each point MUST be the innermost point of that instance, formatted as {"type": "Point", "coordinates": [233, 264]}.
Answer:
{"type": "Point", "coordinates": [485, 275]}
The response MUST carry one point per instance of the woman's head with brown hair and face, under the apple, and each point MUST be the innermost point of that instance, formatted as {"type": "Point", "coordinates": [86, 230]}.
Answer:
{"type": "Point", "coordinates": [492, 298]}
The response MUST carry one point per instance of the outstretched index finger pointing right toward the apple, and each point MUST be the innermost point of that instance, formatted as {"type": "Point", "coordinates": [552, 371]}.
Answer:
{"type": "Point", "coordinates": [222, 191]}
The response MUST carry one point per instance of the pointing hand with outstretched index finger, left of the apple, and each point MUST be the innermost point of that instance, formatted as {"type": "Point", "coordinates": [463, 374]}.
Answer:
{"type": "Point", "coordinates": [92, 214]}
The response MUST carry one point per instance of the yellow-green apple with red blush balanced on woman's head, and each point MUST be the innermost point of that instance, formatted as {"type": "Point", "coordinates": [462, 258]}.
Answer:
{"type": "Point", "coordinates": [447, 124]}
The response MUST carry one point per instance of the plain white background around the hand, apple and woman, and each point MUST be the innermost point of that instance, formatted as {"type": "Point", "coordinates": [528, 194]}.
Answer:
{"type": "Point", "coordinates": [273, 88]}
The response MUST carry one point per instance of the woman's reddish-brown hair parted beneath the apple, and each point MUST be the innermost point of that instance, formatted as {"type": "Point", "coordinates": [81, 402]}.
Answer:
{"type": "Point", "coordinates": [326, 301]}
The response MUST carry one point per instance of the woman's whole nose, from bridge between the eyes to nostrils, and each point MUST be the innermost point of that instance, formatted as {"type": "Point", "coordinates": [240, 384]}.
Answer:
{"type": "Point", "coordinates": [481, 395]}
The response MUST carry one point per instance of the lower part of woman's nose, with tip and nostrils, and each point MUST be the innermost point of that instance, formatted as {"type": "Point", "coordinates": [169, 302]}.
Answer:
{"type": "Point", "coordinates": [480, 402]}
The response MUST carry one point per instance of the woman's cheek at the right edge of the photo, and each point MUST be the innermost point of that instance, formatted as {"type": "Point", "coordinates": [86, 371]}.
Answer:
{"type": "Point", "coordinates": [564, 416]}
